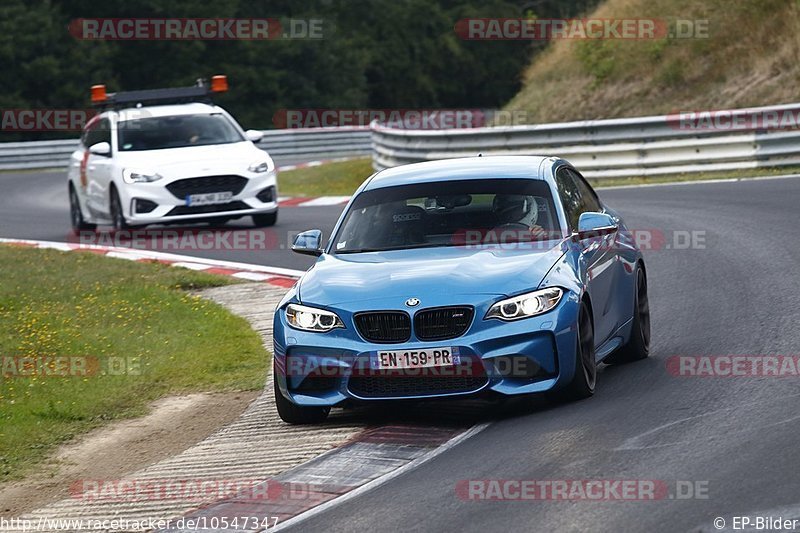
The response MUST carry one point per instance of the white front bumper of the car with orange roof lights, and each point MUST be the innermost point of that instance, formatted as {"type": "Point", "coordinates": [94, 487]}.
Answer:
{"type": "Point", "coordinates": [168, 208]}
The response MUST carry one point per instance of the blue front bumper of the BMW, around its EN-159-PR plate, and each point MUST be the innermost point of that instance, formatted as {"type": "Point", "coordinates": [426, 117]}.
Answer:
{"type": "Point", "coordinates": [527, 356]}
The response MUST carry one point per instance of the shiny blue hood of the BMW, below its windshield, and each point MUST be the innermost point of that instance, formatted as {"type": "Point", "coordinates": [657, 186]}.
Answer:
{"type": "Point", "coordinates": [344, 278]}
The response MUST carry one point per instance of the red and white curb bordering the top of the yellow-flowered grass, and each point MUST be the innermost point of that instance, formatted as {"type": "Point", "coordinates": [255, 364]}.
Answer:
{"type": "Point", "coordinates": [280, 277]}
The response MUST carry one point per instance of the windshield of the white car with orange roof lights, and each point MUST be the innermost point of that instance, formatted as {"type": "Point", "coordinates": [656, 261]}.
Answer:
{"type": "Point", "coordinates": [158, 133]}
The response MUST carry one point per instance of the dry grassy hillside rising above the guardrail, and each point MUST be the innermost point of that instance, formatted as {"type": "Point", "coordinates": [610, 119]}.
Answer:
{"type": "Point", "coordinates": [736, 54]}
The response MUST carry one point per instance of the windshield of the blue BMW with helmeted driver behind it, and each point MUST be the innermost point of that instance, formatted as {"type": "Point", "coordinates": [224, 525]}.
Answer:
{"type": "Point", "coordinates": [449, 213]}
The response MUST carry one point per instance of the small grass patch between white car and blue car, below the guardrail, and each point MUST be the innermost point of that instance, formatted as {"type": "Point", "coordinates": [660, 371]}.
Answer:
{"type": "Point", "coordinates": [332, 179]}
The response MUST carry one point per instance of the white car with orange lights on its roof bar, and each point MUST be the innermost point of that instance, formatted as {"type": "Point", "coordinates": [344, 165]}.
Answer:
{"type": "Point", "coordinates": [143, 164]}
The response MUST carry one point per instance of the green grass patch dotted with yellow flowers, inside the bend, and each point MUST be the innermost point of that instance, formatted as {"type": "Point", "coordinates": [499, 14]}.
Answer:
{"type": "Point", "coordinates": [56, 304]}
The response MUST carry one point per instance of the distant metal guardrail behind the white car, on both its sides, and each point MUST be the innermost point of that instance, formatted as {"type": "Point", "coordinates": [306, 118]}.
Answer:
{"type": "Point", "coordinates": [285, 146]}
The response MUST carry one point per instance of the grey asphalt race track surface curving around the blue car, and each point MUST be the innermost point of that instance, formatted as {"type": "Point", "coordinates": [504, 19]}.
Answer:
{"type": "Point", "coordinates": [735, 292]}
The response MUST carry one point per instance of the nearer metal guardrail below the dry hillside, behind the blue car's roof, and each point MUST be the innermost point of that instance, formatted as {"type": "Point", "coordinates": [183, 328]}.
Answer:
{"type": "Point", "coordinates": [629, 147]}
